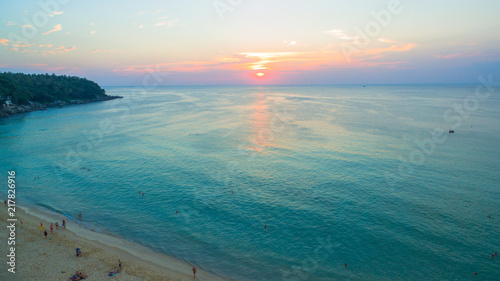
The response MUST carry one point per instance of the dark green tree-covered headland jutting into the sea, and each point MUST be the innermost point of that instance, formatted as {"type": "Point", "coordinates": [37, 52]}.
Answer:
{"type": "Point", "coordinates": [22, 93]}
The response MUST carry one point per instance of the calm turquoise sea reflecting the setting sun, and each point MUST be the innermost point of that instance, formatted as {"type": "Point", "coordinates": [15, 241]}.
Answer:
{"type": "Point", "coordinates": [335, 172]}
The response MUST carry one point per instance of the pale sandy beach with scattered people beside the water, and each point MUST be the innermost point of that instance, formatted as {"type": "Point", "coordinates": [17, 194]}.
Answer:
{"type": "Point", "coordinates": [54, 258]}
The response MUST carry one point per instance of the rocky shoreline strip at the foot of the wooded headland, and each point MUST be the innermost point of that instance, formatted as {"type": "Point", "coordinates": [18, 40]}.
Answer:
{"type": "Point", "coordinates": [36, 106]}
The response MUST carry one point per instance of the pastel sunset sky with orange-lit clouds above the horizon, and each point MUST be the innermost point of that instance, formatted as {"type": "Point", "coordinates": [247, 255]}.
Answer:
{"type": "Point", "coordinates": [253, 42]}
